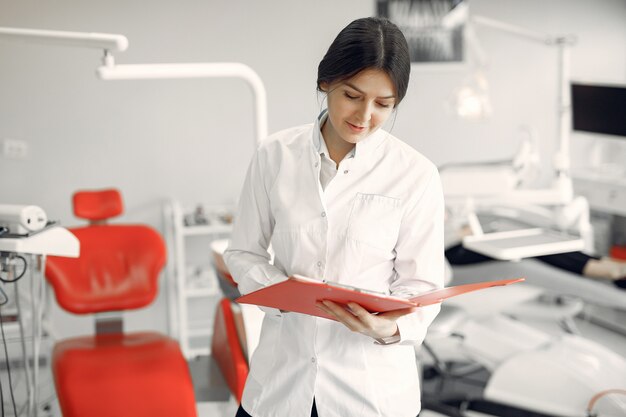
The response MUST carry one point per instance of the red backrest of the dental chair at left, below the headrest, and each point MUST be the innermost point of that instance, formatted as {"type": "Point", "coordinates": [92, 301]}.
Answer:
{"type": "Point", "coordinates": [117, 270]}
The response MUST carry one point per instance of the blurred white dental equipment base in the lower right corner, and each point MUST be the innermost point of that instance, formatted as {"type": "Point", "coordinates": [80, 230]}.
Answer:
{"type": "Point", "coordinates": [520, 370]}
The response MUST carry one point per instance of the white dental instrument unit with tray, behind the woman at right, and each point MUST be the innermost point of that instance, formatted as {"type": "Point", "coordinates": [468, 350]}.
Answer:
{"type": "Point", "coordinates": [559, 221]}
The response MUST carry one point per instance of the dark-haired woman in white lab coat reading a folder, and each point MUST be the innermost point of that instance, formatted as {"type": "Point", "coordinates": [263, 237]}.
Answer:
{"type": "Point", "coordinates": [345, 201]}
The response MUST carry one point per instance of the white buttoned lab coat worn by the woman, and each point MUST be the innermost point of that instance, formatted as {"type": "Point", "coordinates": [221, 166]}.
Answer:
{"type": "Point", "coordinates": [377, 225]}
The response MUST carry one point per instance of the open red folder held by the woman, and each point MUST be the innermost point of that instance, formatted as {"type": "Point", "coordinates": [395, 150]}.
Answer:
{"type": "Point", "coordinates": [299, 294]}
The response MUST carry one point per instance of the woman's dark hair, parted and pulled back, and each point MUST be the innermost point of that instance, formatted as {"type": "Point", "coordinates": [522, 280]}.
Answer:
{"type": "Point", "coordinates": [367, 43]}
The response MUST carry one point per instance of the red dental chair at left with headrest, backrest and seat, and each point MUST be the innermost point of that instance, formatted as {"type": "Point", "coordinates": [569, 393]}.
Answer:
{"type": "Point", "coordinates": [113, 374]}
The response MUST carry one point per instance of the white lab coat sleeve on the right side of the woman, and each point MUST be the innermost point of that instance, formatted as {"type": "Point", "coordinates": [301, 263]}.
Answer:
{"type": "Point", "coordinates": [419, 262]}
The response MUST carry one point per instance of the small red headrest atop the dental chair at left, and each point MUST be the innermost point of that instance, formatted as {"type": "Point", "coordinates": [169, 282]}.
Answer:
{"type": "Point", "coordinates": [97, 204]}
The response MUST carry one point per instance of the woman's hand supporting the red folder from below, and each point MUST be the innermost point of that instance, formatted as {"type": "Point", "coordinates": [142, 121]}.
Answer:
{"type": "Point", "coordinates": [359, 320]}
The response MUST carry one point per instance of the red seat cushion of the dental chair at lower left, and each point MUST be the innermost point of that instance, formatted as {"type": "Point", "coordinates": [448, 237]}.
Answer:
{"type": "Point", "coordinates": [135, 375]}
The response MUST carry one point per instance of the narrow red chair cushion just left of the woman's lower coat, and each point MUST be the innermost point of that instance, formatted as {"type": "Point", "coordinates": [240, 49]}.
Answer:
{"type": "Point", "coordinates": [226, 349]}
